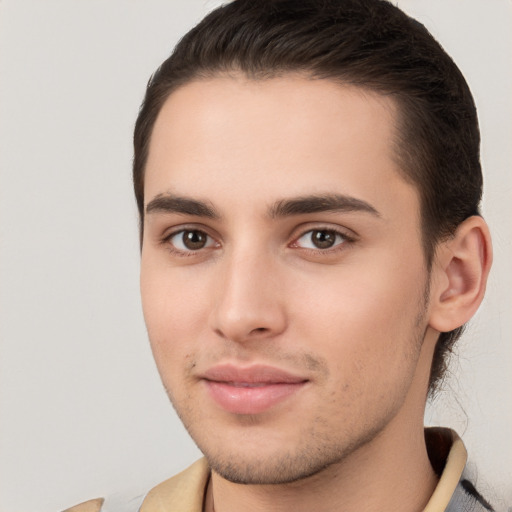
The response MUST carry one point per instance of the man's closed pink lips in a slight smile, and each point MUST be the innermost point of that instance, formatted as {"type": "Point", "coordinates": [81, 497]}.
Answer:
{"type": "Point", "coordinates": [250, 390]}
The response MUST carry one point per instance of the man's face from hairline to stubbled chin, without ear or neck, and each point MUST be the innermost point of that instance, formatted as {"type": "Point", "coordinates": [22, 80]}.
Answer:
{"type": "Point", "coordinates": [283, 279]}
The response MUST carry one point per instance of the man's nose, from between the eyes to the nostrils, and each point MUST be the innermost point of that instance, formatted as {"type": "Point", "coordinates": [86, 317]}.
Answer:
{"type": "Point", "coordinates": [249, 299]}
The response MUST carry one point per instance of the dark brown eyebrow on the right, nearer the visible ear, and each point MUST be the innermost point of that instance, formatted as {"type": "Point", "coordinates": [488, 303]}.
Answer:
{"type": "Point", "coordinates": [320, 203]}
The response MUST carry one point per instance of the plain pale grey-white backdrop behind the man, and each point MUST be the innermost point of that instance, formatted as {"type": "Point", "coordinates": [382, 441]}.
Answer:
{"type": "Point", "coordinates": [83, 413]}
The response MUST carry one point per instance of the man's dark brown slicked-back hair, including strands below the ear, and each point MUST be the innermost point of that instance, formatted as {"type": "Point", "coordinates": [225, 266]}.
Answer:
{"type": "Point", "coordinates": [365, 43]}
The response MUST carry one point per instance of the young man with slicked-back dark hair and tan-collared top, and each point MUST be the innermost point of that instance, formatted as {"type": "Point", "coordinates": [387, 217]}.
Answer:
{"type": "Point", "coordinates": [308, 182]}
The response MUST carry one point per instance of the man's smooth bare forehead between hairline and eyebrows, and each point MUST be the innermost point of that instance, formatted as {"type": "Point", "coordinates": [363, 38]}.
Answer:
{"type": "Point", "coordinates": [289, 135]}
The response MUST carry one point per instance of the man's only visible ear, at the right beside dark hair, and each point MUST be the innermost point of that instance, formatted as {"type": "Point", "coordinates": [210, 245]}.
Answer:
{"type": "Point", "coordinates": [459, 276]}
